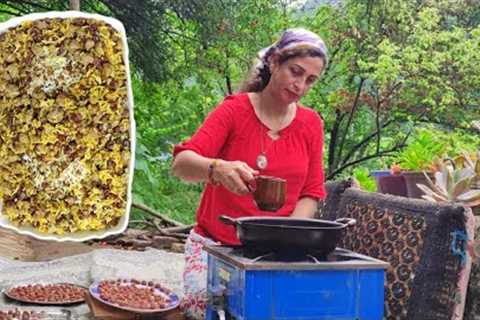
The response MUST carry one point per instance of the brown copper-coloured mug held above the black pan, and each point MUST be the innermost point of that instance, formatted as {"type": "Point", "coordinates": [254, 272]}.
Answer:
{"type": "Point", "coordinates": [269, 192]}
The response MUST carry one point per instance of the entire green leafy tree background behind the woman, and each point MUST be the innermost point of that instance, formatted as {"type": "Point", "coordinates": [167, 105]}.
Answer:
{"type": "Point", "coordinates": [401, 72]}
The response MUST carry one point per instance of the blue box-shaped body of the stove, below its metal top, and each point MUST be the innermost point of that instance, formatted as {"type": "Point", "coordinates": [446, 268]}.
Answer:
{"type": "Point", "coordinates": [353, 294]}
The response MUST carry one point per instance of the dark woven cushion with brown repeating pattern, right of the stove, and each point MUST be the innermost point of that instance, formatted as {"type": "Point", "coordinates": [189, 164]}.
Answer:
{"type": "Point", "coordinates": [425, 244]}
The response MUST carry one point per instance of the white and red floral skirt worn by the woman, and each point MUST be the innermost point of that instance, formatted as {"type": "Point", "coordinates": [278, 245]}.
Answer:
{"type": "Point", "coordinates": [194, 301]}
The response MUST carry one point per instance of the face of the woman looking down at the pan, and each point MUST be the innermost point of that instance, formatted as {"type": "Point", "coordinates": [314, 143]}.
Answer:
{"type": "Point", "coordinates": [292, 79]}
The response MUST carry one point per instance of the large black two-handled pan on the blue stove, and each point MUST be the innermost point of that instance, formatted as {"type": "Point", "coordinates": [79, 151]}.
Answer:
{"type": "Point", "coordinates": [289, 234]}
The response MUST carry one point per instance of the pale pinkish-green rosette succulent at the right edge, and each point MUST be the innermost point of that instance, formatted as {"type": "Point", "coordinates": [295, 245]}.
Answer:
{"type": "Point", "coordinates": [452, 185]}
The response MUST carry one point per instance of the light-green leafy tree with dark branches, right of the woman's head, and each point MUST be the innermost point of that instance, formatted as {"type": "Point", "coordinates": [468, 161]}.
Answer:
{"type": "Point", "coordinates": [395, 64]}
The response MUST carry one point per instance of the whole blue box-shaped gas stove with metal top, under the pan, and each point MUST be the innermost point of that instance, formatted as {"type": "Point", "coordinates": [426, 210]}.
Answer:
{"type": "Point", "coordinates": [248, 285]}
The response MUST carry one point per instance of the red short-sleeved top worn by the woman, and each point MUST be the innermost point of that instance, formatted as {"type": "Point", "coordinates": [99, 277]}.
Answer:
{"type": "Point", "coordinates": [232, 131]}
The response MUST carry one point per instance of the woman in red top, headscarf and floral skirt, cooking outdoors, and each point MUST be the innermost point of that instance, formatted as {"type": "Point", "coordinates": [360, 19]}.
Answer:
{"type": "Point", "coordinates": [261, 130]}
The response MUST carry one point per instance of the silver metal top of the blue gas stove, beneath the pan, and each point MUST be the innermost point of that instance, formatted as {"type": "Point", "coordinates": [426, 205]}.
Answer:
{"type": "Point", "coordinates": [263, 260]}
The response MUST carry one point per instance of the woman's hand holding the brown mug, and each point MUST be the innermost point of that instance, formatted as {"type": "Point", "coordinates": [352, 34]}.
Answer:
{"type": "Point", "coordinates": [234, 175]}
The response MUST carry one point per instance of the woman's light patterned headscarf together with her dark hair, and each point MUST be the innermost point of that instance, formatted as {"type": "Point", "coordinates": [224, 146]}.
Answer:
{"type": "Point", "coordinates": [293, 43]}
